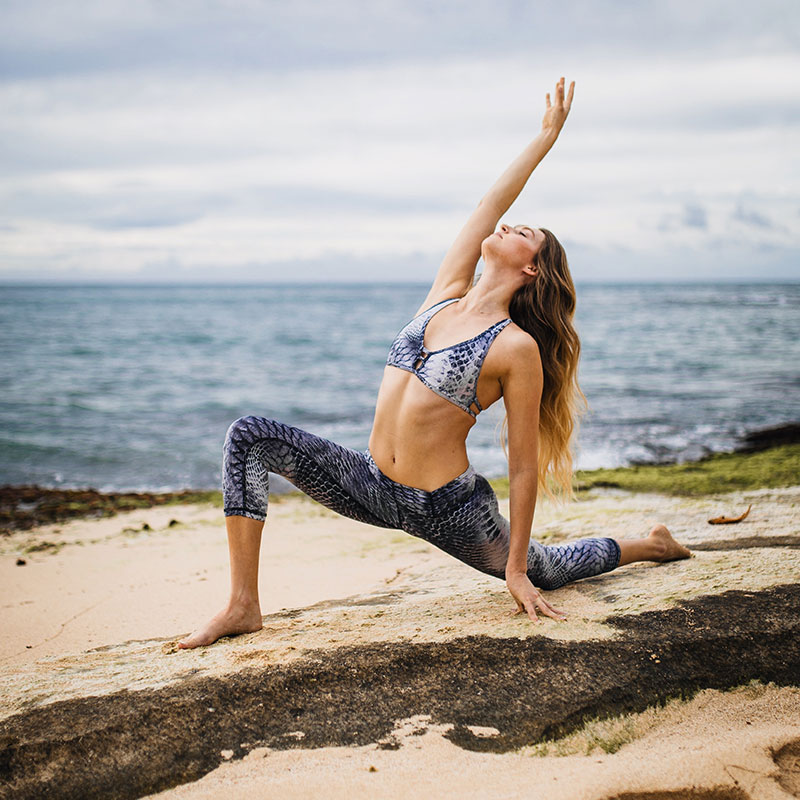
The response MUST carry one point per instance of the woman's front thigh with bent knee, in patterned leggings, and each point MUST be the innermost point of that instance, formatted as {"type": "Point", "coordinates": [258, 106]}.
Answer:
{"type": "Point", "coordinates": [338, 477]}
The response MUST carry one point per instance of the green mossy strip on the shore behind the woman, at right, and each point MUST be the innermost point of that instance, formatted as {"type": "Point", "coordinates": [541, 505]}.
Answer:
{"type": "Point", "coordinates": [723, 472]}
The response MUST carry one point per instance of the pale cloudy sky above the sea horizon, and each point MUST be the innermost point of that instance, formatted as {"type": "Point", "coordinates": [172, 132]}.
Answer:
{"type": "Point", "coordinates": [252, 140]}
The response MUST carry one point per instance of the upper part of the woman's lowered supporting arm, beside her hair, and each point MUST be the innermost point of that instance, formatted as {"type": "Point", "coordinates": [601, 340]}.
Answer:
{"type": "Point", "coordinates": [522, 394]}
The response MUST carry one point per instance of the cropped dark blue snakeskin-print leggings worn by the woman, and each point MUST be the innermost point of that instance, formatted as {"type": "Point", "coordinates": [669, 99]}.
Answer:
{"type": "Point", "coordinates": [462, 517]}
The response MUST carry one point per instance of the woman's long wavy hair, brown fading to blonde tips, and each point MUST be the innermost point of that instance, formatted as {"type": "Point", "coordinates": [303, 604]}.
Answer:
{"type": "Point", "coordinates": [545, 308]}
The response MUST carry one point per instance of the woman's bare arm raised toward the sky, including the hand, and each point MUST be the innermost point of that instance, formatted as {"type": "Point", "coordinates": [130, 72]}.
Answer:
{"type": "Point", "coordinates": [457, 270]}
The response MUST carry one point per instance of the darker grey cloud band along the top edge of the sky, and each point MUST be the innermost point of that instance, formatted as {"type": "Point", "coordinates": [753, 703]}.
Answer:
{"type": "Point", "coordinates": [48, 37]}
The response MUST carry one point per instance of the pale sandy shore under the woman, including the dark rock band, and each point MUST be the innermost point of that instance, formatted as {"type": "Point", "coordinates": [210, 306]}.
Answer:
{"type": "Point", "coordinates": [387, 668]}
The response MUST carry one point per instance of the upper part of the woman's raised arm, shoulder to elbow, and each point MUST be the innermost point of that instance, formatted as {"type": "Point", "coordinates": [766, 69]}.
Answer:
{"type": "Point", "coordinates": [457, 270]}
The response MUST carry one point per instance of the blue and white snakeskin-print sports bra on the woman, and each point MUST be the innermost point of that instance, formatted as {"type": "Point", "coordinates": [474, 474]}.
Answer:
{"type": "Point", "coordinates": [451, 372]}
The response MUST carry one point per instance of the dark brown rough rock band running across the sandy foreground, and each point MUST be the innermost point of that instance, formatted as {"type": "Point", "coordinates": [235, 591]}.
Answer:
{"type": "Point", "coordinates": [525, 690]}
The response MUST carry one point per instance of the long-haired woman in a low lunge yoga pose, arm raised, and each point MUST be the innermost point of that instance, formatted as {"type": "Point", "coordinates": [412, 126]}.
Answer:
{"type": "Point", "coordinates": [510, 335]}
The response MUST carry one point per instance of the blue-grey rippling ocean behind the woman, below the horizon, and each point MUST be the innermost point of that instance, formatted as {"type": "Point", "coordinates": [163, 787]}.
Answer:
{"type": "Point", "coordinates": [132, 388]}
